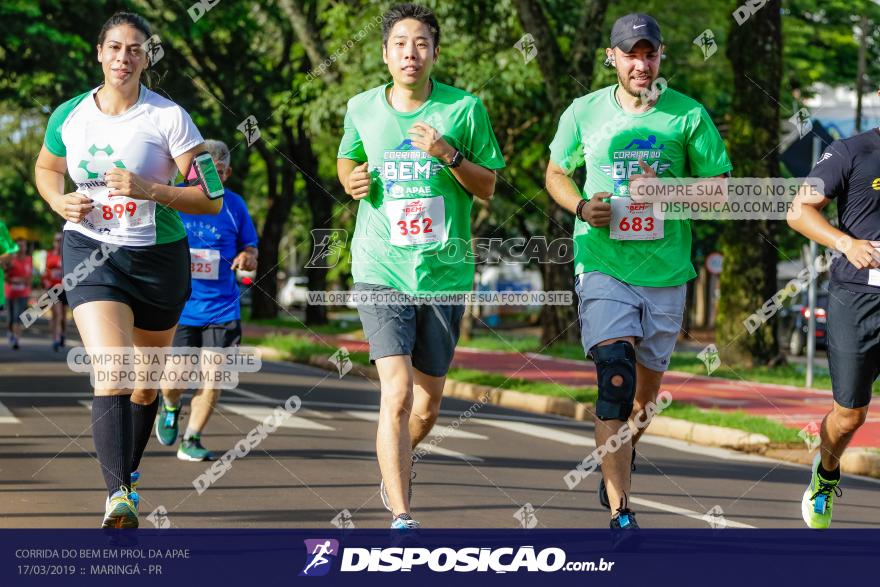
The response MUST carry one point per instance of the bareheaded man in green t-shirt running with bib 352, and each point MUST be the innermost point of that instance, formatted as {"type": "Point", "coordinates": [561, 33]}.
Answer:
{"type": "Point", "coordinates": [414, 153]}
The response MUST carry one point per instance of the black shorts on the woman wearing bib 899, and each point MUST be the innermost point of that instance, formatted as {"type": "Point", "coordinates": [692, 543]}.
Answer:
{"type": "Point", "coordinates": [154, 281]}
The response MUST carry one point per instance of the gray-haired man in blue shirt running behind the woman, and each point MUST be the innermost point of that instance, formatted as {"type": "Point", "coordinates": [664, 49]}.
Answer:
{"type": "Point", "coordinates": [212, 317]}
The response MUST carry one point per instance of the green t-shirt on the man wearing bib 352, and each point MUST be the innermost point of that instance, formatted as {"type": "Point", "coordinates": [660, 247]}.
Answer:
{"type": "Point", "coordinates": [413, 231]}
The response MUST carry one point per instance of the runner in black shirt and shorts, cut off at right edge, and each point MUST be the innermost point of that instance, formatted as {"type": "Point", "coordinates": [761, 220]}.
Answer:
{"type": "Point", "coordinates": [850, 169]}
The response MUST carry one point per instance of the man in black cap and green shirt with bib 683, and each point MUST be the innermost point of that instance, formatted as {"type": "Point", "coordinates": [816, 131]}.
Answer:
{"type": "Point", "coordinates": [631, 266]}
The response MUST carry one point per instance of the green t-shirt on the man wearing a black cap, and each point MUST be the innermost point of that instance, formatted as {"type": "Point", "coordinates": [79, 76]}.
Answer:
{"type": "Point", "coordinates": [676, 137]}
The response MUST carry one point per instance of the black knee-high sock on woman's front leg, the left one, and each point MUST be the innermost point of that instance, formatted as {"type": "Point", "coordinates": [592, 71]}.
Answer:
{"type": "Point", "coordinates": [111, 431]}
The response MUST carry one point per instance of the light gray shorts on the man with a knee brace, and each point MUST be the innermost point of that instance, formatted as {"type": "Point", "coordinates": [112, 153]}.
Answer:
{"type": "Point", "coordinates": [609, 308]}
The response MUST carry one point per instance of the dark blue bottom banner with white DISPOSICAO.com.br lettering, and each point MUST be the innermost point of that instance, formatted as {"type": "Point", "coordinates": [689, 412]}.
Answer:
{"type": "Point", "coordinates": [436, 557]}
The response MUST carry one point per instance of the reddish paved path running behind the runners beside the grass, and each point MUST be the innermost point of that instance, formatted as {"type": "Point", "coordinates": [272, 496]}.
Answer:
{"type": "Point", "coordinates": [794, 407]}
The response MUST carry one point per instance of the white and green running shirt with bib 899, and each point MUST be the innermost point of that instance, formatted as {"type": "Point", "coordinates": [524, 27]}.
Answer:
{"type": "Point", "coordinates": [144, 139]}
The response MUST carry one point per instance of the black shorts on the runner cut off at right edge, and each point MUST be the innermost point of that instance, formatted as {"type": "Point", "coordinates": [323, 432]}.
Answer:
{"type": "Point", "coordinates": [853, 344]}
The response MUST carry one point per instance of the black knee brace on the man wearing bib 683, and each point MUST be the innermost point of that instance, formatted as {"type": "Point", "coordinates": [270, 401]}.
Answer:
{"type": "Point", "coordinates": [616, 359]}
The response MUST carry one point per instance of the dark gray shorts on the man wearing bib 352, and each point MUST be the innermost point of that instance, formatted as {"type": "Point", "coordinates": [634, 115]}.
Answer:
{"type": "Point", "coordinates": [427, 333]}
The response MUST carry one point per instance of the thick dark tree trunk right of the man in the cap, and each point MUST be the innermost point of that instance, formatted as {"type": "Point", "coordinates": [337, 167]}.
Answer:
{"type": "Point", "coordinates": [750, 255]}
